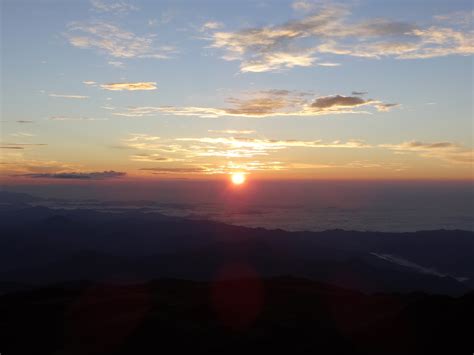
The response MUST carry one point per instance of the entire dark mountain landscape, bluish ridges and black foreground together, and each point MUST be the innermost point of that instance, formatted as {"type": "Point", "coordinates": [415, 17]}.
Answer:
{"type": "Point", "coordinates": [80, 281]}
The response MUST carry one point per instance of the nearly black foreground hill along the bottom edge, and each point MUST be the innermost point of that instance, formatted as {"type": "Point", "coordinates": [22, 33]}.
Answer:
{"type": "Point", "coordinates": [278, 315]}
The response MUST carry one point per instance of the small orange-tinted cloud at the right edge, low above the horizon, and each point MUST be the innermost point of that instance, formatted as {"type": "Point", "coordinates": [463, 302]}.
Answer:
{"type": "Point", "coordinates": [446, 151]}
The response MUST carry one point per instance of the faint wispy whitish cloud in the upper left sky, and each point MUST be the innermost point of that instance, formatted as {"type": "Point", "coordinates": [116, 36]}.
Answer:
{"type": "Point", "coordinates": [112, 40]}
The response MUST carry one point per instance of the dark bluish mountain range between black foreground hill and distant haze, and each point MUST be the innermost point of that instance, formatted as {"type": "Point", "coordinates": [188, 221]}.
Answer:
{"type": "Point", "coordinates": [40, 245]}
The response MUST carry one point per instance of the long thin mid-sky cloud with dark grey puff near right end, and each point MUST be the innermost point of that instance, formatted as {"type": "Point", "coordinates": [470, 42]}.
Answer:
{"type": "Point", "coordinates": [268, 103]}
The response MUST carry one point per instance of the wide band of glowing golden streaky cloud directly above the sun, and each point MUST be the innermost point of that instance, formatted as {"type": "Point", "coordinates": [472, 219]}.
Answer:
{"type": "Point", "coordinates": [225, 154]}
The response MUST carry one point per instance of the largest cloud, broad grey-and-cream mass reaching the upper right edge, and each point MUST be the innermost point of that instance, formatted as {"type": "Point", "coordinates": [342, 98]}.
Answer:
{"type": "Point", "coordinates": [329, 29]}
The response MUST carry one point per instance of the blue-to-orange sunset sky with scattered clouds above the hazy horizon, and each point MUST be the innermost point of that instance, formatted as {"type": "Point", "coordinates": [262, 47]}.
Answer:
{"type": "Point", "coordinates": [130, 90]}
